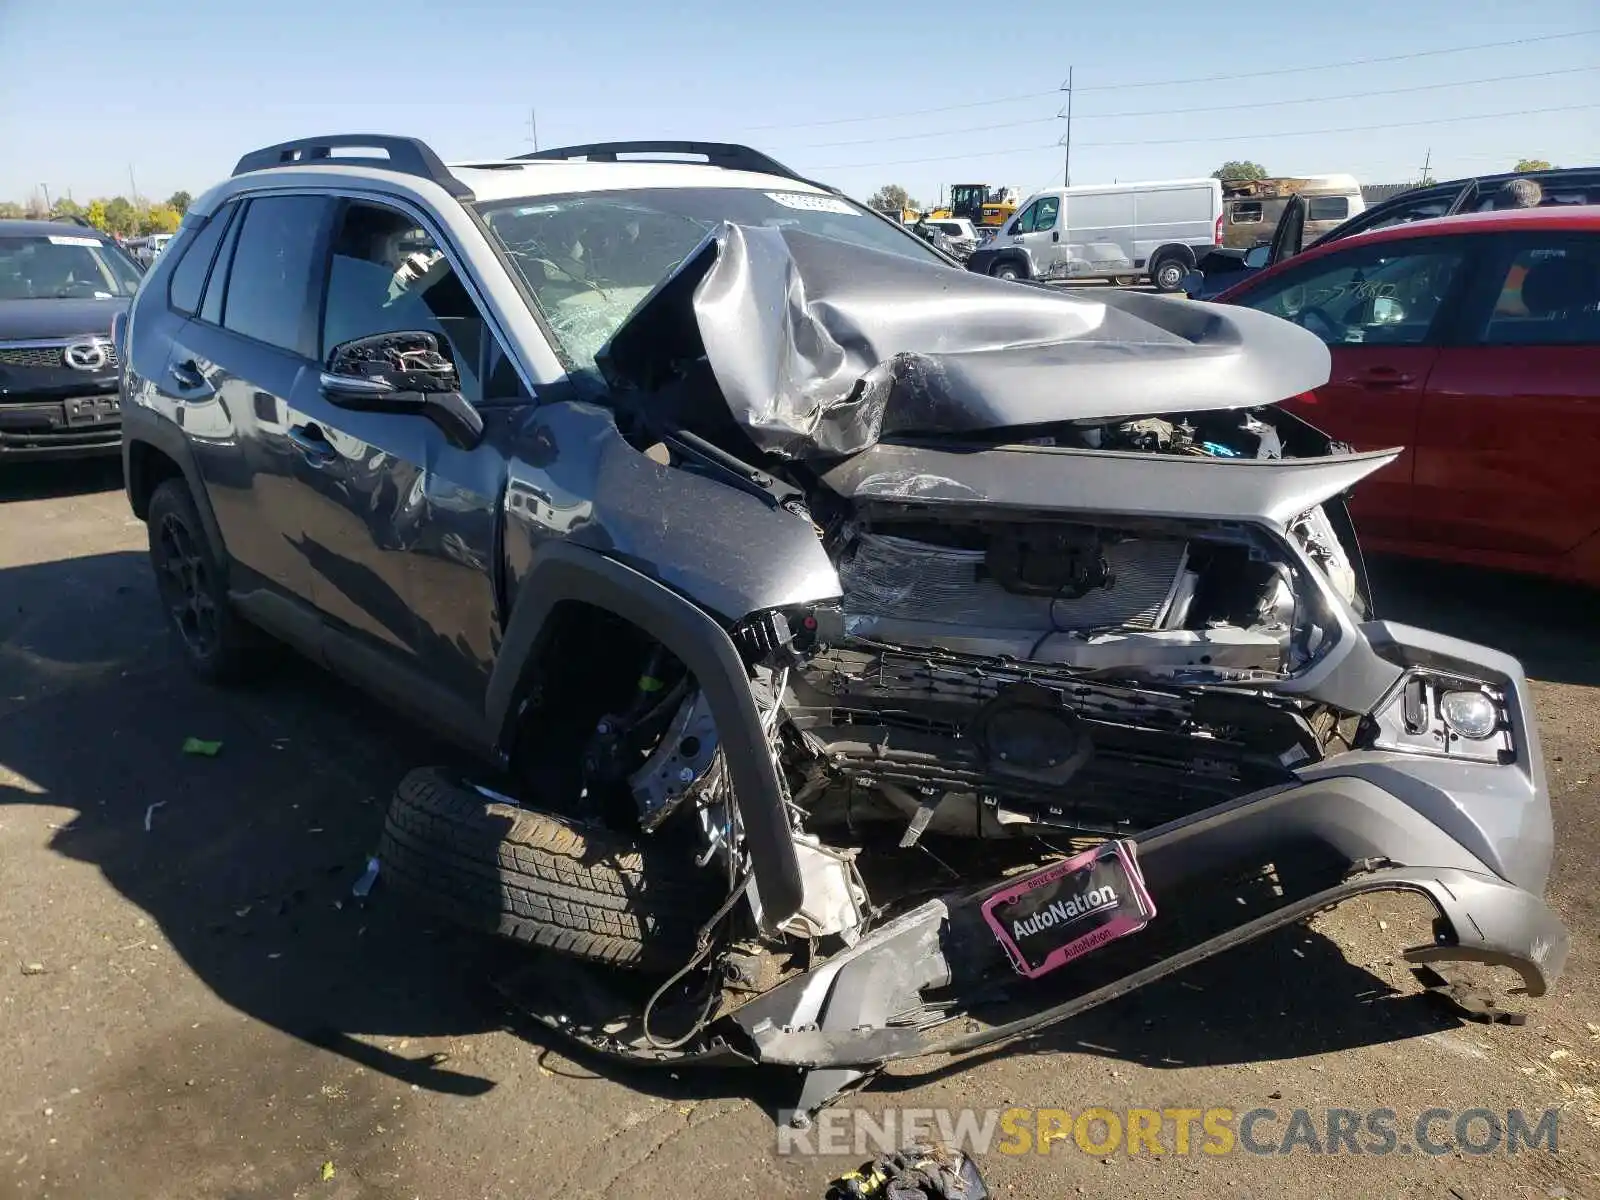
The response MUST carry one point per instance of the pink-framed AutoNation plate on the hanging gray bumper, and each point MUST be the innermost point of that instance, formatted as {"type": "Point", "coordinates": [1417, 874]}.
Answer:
{"type": "Point", "coordinates": [1071, 908]}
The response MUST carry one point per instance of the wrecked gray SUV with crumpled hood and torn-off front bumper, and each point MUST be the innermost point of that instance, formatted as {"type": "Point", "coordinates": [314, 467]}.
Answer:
{"type": "Point", "coordinates": [866, 658]}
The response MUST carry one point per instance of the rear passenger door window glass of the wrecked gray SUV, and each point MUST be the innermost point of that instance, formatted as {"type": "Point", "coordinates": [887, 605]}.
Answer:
{"type": "Point", "coordinates": [270, 295]}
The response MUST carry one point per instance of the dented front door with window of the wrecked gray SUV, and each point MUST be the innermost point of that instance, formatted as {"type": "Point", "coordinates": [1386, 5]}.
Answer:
{"type": "Point", "coordinates": [402, 542]}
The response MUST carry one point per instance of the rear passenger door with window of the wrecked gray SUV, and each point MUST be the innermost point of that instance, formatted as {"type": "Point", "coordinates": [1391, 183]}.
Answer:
{"type": "Point", "coordinates": [236, 364]}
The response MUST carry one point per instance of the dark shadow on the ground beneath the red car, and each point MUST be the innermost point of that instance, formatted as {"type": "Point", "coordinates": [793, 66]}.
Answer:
{"type": "Point", "coordinates": [1551, 628]}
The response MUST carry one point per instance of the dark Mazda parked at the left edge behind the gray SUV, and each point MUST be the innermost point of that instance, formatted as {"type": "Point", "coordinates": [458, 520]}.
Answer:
{"type": "Point", "coordinates": [62, 286]}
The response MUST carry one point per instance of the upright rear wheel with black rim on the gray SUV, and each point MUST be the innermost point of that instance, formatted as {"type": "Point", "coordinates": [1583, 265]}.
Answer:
{"type": "Point", "coordinates": [215, 641]}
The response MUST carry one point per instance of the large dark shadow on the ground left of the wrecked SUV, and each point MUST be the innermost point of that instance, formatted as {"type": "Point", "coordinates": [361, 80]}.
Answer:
{"type": "Point", "coordinates": [244, 860]}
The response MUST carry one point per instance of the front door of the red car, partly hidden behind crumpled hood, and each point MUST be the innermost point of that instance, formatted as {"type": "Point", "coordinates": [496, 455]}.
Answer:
{"type": "Point", "coordinates": [1382, 310]}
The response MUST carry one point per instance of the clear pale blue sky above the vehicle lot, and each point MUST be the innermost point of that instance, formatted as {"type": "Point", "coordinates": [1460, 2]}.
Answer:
{"type": "Point", "coordinates": [854, 94]}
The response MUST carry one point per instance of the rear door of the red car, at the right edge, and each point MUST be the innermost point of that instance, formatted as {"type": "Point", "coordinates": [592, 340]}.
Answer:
{"type": "Point", "coordinates": [1511, 422]}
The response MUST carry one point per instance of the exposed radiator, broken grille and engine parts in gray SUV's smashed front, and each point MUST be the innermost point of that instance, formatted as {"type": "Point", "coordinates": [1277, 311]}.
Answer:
{"type": "Point", "coordinates": [999, 674]}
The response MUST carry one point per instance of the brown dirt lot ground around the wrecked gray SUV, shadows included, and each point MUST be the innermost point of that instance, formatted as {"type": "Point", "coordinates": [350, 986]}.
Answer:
{"type": "Point", "coordinates": [193, 1004]}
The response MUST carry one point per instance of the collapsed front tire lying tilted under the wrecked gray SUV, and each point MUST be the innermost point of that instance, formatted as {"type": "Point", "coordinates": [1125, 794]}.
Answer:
{"type": "Point", "coordinates": [542, 881]}
